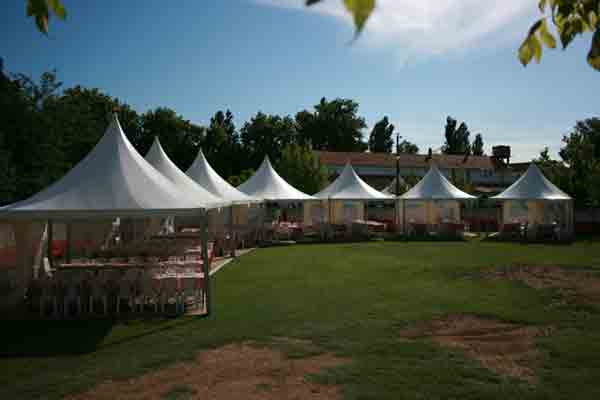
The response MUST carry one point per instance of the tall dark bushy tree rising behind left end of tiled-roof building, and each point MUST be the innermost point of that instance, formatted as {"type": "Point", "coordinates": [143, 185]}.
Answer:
{"type": "Point", "coordinates": [333, 126]}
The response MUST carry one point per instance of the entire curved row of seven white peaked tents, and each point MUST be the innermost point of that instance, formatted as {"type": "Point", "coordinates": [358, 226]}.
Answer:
{"type": "Point", "coordinates": [114, 180]}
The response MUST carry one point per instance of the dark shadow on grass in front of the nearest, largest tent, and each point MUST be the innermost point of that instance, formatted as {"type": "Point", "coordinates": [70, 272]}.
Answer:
{"type": "Point", "coordinates": [63, 338]}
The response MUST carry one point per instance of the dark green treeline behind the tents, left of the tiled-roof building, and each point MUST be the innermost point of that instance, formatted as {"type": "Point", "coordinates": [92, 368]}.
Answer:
{"type": "Point", "coordinates": [45, 129]}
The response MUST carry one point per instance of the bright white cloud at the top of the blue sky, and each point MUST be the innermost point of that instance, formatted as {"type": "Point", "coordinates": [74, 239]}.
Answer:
{"type": "Point", "coordinates": [432, 27]}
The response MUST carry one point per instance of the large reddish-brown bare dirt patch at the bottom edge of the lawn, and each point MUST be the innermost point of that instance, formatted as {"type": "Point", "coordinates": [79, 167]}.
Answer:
{"type": "Point", "coordinates": [237, 371]}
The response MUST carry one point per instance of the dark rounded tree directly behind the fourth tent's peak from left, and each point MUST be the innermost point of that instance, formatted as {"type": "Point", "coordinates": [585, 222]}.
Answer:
{"type": "Point", "coordinates": [266, 135]}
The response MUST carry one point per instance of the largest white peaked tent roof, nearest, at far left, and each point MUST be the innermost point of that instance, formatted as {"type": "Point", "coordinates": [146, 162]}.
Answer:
{"type": "Point", "coordinates": [112, 180]}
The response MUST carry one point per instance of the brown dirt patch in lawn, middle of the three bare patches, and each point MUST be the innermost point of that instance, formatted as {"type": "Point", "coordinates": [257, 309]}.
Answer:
{"type": "Point", "coordinates": [505, 348]}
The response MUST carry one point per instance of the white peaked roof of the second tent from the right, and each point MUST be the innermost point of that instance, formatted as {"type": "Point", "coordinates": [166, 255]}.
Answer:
{"type": "Point", "coordinates": [435, 186]}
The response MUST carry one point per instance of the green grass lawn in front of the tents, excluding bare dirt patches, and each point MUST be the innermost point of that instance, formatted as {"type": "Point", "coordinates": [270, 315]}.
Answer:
{"type": "Point", "coordinates": [350, 299]}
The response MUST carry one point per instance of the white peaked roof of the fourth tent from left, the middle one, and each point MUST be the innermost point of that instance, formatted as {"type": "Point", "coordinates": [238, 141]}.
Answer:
{"type": "Point", "coordinates": [266, 184]}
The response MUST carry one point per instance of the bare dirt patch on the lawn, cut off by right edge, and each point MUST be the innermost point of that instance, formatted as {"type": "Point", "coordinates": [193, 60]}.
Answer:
{"type": "Point", "coordinates": [578, 285]}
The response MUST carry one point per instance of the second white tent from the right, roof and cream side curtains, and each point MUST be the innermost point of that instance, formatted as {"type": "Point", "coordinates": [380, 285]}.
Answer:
{"type": "Point", "coordinates": [432, 201]}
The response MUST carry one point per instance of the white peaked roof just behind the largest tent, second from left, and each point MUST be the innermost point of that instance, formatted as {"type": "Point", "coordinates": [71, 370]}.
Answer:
{"type": "Point", "coordinates": [157, 157]}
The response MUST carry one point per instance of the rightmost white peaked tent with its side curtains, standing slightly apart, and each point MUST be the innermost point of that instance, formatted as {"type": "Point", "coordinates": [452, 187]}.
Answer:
{"type": "Point", "coordinates": [535, 201]}
